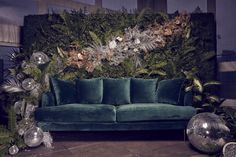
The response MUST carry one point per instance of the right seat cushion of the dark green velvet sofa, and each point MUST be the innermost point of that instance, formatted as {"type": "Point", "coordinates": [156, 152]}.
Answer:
{"type": "Point", "coordinates": [153, 112]}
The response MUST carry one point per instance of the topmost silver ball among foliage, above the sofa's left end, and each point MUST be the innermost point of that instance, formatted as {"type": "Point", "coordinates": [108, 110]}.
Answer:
{"type": "Point", "coordinates": [39, 58]}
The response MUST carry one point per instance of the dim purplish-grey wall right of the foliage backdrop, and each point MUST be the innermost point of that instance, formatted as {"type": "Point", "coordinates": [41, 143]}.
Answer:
{"type": "Point", "coordinates": [226, 48]}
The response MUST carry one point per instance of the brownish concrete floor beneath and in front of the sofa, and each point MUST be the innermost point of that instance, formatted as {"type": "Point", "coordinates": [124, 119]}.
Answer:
{"type": "Point", "coordinates": [115, 144]}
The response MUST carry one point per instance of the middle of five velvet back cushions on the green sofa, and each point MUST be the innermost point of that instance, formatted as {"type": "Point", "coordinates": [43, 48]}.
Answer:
{"type": "Point", "coordinates": [116, 91]}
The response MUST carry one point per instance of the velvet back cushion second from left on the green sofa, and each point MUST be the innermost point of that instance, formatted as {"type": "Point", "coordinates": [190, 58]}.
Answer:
{"type": "Point", "coordinates": [89, 91]}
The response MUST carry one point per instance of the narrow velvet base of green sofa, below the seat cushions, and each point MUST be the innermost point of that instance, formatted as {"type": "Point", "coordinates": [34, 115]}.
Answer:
{"type": "Point", "coordinates": [161, 125]}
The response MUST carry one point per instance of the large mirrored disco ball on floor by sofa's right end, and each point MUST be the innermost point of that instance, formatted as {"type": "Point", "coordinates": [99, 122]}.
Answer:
{"type": "Point", "coordinates": [207, 132]}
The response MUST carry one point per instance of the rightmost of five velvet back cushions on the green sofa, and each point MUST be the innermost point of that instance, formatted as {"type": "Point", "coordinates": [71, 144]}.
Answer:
{"type": "Point", "coordinates": [170, 91]}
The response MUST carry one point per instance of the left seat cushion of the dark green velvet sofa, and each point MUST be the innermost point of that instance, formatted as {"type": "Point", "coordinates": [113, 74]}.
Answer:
{"type": "Point", "coordinates": [76, 113]}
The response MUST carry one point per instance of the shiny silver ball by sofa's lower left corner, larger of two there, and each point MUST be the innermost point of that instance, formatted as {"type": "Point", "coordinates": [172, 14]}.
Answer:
{"type": "Point", "coordinates": [33, 137]}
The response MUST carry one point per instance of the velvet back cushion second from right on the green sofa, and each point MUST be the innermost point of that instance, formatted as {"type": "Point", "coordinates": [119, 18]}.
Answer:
{"type": "Point", "coordinates": [143, 90]}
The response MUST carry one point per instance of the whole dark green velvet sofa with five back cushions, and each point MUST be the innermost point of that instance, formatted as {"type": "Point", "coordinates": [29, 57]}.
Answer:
{"type": "Point", "coordinates": [106, 104]}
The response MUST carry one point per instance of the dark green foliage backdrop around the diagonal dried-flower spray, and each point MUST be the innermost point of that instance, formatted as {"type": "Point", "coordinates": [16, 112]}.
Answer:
{"type": "Point", "coordinates": [47, 32]}
